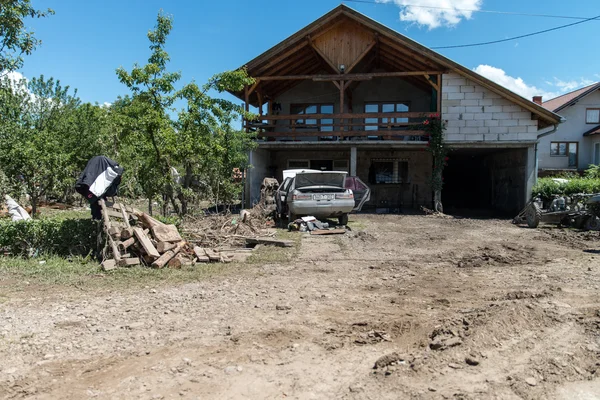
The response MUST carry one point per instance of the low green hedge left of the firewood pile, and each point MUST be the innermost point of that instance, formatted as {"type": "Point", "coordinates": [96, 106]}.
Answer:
{"type": "Point", "coordinates": [51, 236]}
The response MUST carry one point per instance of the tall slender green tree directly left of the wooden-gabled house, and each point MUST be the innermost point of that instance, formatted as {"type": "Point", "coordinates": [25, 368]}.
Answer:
{"type": "Point", "coordinates": [201, 142]}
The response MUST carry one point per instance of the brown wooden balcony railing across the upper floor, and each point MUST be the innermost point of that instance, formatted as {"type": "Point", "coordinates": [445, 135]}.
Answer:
{"type": "Point", "coordinates": [348, 126]}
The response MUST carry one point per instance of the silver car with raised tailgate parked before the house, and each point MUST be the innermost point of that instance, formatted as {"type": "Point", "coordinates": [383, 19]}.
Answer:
{"type": "Point", "coordinates": [321, 194]}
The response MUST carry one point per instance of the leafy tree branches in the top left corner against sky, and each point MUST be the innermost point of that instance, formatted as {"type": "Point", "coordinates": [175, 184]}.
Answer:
{"type": "Point", "coordinates": [15, 40]}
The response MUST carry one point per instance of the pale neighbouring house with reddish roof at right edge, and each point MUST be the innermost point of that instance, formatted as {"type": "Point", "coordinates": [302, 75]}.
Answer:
{"type": "Point", "coordinates": [576, 144]}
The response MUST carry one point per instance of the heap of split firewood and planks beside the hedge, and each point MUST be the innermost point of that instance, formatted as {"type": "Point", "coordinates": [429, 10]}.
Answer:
{"type": "Point", "coordinates": [134, 238]}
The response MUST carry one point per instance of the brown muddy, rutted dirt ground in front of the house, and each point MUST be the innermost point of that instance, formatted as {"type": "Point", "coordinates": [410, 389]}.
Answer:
{"type": "Point", "coordinates": [445, 308]}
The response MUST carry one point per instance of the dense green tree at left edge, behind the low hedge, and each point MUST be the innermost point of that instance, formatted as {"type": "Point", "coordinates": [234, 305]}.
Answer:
{"type": "Point", "coordinates": [33, 124]}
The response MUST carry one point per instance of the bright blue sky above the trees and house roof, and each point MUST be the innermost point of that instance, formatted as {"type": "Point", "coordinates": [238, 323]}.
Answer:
{"type": "Point", "coordinates": [86, 41]}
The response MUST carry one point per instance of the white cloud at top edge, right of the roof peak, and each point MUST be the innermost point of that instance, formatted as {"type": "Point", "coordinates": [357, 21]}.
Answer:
{"type": "Point", "coordinates": [436, 13]}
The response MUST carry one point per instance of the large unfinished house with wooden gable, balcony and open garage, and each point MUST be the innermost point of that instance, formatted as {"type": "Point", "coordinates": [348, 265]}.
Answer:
{"type": "Point", "coordinates": [348, 93]}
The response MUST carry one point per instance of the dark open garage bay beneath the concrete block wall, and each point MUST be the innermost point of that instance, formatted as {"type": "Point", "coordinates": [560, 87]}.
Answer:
{"type": "Point", "coordinates": [485, 181]}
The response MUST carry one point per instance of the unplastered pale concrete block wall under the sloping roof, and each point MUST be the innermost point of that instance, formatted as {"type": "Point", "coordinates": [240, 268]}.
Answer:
{"type": "Point", "coordinates": [476, 114]}
